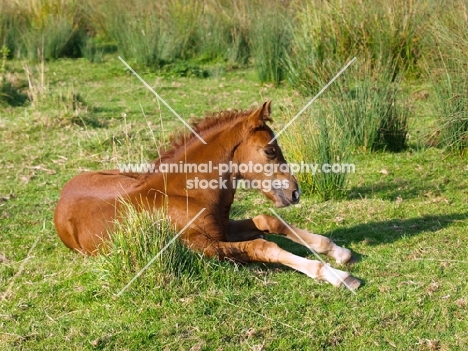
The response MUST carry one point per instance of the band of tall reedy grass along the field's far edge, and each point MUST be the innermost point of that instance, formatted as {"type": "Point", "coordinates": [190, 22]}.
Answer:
{"type": "Point", "coordinates": [303, 41]}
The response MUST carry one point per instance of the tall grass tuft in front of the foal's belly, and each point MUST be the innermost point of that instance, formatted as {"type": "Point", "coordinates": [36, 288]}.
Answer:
{"type": "Point", "coordinates": [136, 239]}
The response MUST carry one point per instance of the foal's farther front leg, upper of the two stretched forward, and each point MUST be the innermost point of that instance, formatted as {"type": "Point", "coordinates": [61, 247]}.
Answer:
{"type": "Point", "coordinates": [264, 224]}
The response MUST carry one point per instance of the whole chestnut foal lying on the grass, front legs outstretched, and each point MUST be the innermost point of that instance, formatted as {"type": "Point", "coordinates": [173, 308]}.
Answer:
{"type": "Point", "coordinates": [92, 201]}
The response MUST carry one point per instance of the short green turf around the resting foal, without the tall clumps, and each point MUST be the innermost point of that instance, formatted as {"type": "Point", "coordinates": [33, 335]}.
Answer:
{"type": "Point", "coordinates": [403, 214]}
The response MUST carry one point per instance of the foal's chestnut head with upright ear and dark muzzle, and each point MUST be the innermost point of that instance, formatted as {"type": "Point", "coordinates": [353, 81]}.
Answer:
{"type": "Point", "coordinates": [269, 171]}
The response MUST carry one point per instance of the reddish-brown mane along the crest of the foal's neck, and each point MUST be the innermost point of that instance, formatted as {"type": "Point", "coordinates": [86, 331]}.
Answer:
{"type": "Point", "coordinates": [216, 120]}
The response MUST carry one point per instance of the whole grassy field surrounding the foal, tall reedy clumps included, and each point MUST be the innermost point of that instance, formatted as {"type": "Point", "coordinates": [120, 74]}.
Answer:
{"type": "Point", "coordinates": [67, 104]}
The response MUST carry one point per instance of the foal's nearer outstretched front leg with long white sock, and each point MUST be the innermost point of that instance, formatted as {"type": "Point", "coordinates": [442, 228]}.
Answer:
{"type": "Point", "coordinates": [260, 250]}
